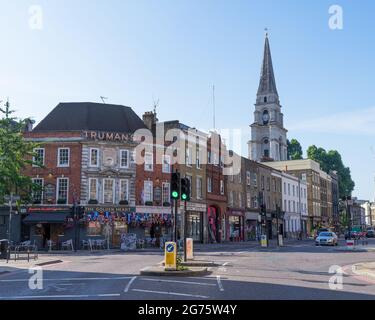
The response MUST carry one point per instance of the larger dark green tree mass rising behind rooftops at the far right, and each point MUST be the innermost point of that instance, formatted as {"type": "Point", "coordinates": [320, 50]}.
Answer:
{"type": "Point", "coordinates": [332, 160]}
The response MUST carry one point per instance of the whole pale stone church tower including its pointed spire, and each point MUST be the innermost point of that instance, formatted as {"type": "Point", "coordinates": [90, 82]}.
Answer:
{"type": "Point", "coordinates": [268, 135]}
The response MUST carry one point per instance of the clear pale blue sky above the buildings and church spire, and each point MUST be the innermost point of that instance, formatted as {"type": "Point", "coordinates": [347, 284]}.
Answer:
{"type": "Point", "coordinates": [136, 51]}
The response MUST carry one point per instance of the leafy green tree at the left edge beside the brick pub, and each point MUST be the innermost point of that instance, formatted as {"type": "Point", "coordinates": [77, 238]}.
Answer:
{"type": "Point", "coordinates": [15, 153]}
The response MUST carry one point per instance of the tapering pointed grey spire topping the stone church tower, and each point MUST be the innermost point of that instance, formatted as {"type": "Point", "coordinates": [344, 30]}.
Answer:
{"type": "Point", "coordinates": [267, 84]}
